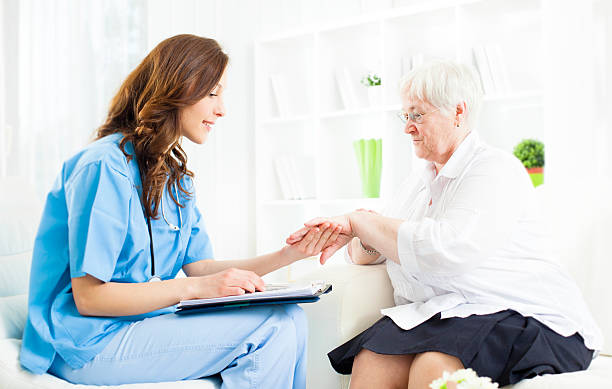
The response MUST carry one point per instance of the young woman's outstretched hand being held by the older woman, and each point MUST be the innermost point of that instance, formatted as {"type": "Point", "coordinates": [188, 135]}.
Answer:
{"type": "Point", "coordinates": [313, 241]}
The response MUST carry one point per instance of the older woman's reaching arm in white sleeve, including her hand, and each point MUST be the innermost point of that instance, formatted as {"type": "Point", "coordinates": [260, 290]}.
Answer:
{"type": "Point", "coordinates": [477, 220]}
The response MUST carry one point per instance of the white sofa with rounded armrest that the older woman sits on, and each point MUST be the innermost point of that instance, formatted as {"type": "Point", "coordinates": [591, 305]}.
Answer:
{"type": "Point", "coordinates": [576, 216]}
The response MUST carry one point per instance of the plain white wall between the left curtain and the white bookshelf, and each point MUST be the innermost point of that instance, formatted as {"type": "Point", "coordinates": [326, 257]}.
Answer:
{"type": "Point", "coordinates": [225, 177]}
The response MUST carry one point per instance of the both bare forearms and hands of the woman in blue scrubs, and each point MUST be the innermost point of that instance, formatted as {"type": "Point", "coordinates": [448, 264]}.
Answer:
{"type": "Point", "coordinates": [207, 278]}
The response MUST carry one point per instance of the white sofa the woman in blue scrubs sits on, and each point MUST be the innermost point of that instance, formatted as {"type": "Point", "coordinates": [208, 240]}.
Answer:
{"type": "Point", "coordinates": [19, 216]}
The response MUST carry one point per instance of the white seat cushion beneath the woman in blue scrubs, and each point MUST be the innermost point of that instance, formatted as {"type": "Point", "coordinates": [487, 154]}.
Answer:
{"type": "Point", "coordinates": [12, 375]}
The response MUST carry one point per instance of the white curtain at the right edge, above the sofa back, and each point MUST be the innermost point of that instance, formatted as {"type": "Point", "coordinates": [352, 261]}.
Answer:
{"type": "Point", "coordinates": [577, 134]}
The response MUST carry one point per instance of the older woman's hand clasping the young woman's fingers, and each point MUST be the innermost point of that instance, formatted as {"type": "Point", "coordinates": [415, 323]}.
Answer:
{"type": "Point", "coordinates": [335, 241]}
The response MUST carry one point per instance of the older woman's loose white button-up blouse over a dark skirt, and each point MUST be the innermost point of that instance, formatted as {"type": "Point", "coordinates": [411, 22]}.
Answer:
{"type": "Point", "coordinates": [479, 247]}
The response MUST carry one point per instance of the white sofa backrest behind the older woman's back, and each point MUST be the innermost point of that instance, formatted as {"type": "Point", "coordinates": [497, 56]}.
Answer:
{"type": "Point", "coordinates": [579, 216]}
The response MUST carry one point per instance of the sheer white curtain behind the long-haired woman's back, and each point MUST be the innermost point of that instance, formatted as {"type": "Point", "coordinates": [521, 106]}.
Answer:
{"type": "Point", "coordinates": [70, 58]}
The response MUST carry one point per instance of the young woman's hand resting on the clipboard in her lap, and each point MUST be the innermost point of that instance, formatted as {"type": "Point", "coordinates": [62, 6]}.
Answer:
{"type": "Point", "coordinates": [229, 282]}
